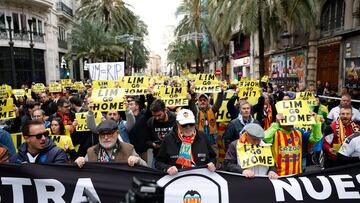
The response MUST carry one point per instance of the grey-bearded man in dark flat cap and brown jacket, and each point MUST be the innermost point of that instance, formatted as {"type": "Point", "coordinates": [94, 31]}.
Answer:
{"type": "Point", "coordinates": [110, 148]}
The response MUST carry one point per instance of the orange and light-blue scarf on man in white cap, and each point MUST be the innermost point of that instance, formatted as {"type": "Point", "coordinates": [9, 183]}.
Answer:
{"type": "Point", "coordinates": [185, 158]}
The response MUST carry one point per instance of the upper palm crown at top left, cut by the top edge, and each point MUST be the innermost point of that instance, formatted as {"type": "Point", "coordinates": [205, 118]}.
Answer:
{"type": "Point", "coordinates": [114, 13]}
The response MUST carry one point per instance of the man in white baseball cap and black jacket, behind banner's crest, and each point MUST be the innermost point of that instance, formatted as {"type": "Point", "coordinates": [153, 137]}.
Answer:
{"type": "Point", "coordinates": [185, 147]}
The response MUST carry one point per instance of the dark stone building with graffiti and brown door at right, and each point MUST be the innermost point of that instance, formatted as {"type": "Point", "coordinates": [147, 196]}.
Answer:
{"type": "Point", "coordinates": [329, 52]}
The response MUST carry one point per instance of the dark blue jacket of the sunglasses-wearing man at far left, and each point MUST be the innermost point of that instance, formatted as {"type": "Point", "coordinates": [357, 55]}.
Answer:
{"type": "Point", "coordinates": [50, 154]}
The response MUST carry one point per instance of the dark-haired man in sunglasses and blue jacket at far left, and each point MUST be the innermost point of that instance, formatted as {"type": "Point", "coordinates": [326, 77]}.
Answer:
{"type": "Point", "coordinates": [38, 148]}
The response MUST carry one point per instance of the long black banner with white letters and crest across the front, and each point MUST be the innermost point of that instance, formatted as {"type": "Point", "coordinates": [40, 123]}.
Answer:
{"type": "Point", "coordinates": [110, 183]}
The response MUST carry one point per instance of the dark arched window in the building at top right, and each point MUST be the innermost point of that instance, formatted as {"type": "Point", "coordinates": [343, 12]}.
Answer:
{"type": "Point", "coordinates": [332, 16]}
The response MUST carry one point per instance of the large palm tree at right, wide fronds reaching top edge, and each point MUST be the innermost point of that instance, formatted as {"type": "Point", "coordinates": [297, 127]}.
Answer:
{"type": "Point", "coordinates": [264, 17]}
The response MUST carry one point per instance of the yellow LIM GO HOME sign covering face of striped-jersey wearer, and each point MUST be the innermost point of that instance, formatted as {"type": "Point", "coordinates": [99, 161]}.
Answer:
{"type": "Point", "coordinates": [295, 112]}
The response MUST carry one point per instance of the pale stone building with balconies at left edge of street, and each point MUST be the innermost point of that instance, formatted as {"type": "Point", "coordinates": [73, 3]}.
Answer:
{"type": "Point", "coordinates": [34, 40]}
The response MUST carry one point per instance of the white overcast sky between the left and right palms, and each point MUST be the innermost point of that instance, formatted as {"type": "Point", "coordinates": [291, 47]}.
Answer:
{"type": "Point", "coordinates": [158, 15]}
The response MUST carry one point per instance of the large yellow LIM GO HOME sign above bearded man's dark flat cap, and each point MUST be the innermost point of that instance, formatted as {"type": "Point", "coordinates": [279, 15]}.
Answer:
{"type": "Point", "coordinates": [108, 99]}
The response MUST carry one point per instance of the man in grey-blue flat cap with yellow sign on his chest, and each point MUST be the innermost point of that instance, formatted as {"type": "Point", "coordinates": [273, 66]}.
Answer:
{"type": "Point", "coordinates": [249, 155]}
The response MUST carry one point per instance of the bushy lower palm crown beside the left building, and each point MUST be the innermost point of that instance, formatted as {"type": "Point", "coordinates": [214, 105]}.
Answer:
{"type": "Point", "coordinates": [89, 40]}
